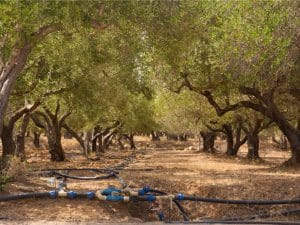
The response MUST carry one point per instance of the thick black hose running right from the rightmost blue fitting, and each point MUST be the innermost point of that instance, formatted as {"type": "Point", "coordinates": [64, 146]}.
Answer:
{"type": "Point", "coordinates": [243, 202]}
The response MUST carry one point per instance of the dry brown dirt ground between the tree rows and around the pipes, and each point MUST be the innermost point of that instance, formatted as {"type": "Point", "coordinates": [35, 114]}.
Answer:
{"type": "Point", "coordinates": [170, 166]}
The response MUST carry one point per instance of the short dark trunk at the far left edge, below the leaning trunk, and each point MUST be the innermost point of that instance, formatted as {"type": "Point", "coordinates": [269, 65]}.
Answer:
{"type": "Point", "coordinates": [8, 143]}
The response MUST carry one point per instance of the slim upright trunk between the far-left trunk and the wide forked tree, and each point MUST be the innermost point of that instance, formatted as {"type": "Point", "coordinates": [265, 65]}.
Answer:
{"type": "Point", "coordinates": [20, 138]}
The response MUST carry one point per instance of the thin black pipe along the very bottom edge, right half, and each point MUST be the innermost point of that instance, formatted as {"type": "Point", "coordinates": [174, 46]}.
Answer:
{"type": "Point", "coordinates": [236, 222]}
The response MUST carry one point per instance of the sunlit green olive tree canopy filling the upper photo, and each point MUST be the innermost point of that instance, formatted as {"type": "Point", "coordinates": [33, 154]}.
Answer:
{"type": "Point", "coordinates": [114, 59]}
